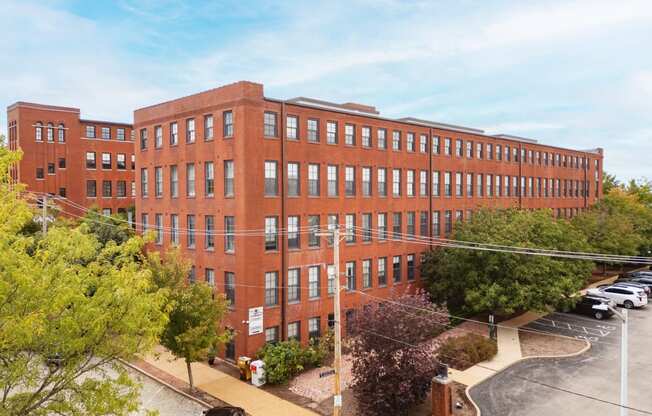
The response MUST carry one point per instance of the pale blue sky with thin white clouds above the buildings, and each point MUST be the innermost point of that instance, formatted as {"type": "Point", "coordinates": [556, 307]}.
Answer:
{"type": "Point", "coordinates": [576, 74]}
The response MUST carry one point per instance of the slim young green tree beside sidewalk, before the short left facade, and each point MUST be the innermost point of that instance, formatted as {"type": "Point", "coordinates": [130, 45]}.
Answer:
{"type": "Point", "coordinates": [196, 314]}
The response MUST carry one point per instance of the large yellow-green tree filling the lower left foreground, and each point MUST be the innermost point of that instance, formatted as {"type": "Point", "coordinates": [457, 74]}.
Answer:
{"type": "Point", "coordinates": [70, 310]}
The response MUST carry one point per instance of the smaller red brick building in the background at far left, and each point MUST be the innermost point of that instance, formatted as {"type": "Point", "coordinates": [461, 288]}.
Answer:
{"type": "Point", "coordinates": [89, 162]}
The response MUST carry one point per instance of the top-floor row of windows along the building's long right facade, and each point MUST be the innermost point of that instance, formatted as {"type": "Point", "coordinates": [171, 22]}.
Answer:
{"type": "Point", "coordinates": [408, 140]}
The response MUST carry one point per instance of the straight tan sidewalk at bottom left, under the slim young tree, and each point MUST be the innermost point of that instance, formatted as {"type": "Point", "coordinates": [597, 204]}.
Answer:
{"type": "Point", "coordinates": [255, 401]}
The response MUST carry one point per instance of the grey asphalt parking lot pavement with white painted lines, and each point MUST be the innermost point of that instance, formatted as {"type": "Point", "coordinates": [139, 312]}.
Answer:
{"type": "Point", "coordinates": [594, 373]}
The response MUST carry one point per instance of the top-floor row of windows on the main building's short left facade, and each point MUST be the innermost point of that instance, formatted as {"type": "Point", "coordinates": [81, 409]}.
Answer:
{"type": "Point", "coordinates": [190, 132]}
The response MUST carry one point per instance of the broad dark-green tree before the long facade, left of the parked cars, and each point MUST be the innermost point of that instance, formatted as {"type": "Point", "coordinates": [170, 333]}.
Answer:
{"type": "Point", "coordinates": [472, 281]}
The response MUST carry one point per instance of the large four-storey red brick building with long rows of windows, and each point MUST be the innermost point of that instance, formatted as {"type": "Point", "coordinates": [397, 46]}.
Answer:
{"type": "Point", "coordinates": [241, 182]}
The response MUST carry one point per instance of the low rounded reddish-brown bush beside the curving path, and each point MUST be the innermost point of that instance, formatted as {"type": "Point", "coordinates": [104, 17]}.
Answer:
{"type": "Point", "coordinates": [467, 350]}
